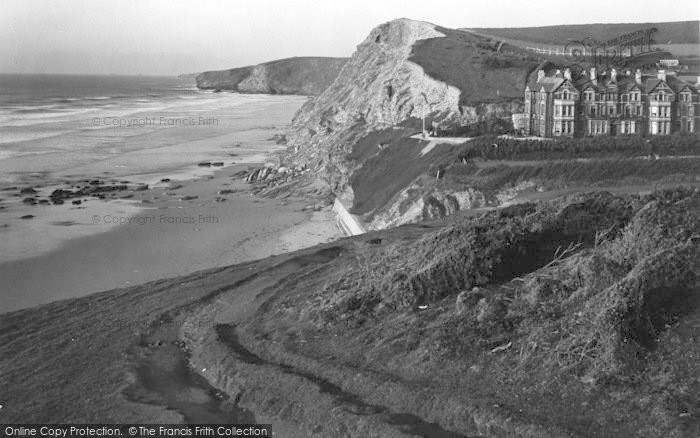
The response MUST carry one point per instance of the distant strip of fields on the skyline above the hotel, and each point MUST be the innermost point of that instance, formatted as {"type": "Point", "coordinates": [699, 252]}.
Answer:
{"type": "Point", "coordinates": [680, 32]}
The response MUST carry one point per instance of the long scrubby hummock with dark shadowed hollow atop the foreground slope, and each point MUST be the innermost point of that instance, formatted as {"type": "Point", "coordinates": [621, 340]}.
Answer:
{"type": "Point", "coordinates": [495, 248]}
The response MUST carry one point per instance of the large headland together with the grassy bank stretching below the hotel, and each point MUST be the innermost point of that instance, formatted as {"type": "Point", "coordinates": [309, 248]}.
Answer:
{"type": "Point", "coordinates": [360, 139]}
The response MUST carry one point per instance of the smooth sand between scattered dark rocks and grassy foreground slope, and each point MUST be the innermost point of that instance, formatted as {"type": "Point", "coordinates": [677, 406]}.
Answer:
{"type": "Point", "coordinates": [174, 233]}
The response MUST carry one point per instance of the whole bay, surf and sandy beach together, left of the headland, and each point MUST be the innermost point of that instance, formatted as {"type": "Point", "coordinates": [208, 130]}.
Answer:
{"type": "Point", "coordinates": [173, 155]}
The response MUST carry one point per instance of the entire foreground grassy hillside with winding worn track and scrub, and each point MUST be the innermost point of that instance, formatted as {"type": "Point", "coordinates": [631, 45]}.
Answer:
{"type": "Point", "coordinates": [572, 318]}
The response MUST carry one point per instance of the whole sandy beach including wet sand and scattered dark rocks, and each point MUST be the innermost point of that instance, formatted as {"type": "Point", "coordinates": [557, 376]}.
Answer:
{"type": "Point", "coordinates": [175, 215]}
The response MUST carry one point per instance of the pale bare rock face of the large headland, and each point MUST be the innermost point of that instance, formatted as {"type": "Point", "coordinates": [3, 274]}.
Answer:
{"type": "Point", "coordinates": [378, 87]}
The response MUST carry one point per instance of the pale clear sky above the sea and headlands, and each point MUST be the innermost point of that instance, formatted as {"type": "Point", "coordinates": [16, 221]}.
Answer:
{"type": "Point", "coordinates": [169, 37]}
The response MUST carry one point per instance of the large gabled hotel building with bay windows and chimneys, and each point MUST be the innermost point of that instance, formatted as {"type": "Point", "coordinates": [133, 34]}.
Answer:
{"type": "Point", "coordinates": [609, 103]}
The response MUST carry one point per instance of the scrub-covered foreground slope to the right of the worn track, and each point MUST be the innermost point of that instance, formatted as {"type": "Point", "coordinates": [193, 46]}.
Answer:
{"type": "Point", "coordinates": [580, 314]}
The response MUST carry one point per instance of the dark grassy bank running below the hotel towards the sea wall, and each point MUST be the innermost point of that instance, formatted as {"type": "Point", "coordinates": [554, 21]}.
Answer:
{"type": "Point", "coordinates": [383, 172]}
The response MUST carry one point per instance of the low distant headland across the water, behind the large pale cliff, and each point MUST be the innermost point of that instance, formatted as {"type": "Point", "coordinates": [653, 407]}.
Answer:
{"type": "Point", "coordinates": [303, 75]}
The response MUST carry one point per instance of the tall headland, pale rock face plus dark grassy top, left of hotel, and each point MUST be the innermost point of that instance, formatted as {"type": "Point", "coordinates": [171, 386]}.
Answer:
{"type": "Point", "coordinates": [403, 70]}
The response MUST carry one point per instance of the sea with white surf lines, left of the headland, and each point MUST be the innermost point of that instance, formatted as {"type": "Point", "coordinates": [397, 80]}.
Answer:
{"type": "Point", "coordinates": [57, 125]}
